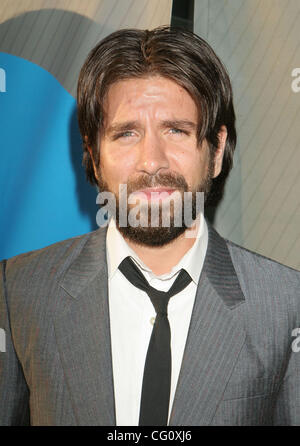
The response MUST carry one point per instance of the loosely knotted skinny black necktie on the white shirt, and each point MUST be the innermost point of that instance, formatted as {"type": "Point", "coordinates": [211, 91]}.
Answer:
{"type": "Point", "coordinates": [157, 372]}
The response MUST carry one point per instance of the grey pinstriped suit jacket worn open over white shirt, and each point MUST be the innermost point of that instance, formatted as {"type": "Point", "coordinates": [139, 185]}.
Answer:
{"type": "Point", "coordinates": [238, 368]}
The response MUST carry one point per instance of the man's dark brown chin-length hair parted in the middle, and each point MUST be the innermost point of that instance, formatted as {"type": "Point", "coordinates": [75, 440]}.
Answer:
{"type": "Point", "coordinates": [174, 53]}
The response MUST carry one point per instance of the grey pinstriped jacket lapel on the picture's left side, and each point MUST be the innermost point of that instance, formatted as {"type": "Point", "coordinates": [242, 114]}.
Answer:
{"type": "Point", "coordinates": [83, 334]}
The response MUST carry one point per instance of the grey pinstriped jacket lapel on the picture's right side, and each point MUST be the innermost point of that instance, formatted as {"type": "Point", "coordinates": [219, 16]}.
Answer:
{"type": "Point", "coordinates": [214, 341]}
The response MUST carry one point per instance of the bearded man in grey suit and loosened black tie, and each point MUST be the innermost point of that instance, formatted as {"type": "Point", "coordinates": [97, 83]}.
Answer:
{"type": "Point", "coordinates": [151, 324]}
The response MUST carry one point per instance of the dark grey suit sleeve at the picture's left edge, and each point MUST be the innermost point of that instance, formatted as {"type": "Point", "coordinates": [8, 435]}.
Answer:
{"type": "Point", "coordinates": [14, 393]}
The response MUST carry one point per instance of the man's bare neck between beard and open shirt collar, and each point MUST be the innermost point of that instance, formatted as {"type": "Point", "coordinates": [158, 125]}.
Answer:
{"type": "Point", "coordinates": [161, 259]}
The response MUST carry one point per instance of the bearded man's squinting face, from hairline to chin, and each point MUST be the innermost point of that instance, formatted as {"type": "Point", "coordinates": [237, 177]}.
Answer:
{"type": "Point", "coordinates": [149, 143]}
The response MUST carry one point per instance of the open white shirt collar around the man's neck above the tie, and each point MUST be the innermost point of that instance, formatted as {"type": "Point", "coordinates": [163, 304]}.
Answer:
{"type": "Point", "coordinates": [118, 249]}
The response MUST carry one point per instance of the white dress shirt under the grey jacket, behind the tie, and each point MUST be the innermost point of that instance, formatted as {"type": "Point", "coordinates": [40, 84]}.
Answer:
{"type": "Point", "coordinates": [132, 317]}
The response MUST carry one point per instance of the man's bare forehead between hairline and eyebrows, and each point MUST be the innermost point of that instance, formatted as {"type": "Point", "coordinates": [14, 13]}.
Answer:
{"type": "Point", "coordinates": [154, 94]}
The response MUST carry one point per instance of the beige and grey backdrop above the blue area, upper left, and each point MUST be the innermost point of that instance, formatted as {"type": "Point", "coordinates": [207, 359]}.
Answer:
{"type": "Point", "coordinates": [58, 34]}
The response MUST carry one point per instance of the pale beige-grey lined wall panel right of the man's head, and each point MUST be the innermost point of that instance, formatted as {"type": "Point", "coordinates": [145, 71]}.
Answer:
{"type": "Point", "coordinates": [259, 42]}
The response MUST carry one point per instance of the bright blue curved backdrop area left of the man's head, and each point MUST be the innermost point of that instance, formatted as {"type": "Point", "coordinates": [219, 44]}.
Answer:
{"type": "Point", "coordinates": [44, 195]}
